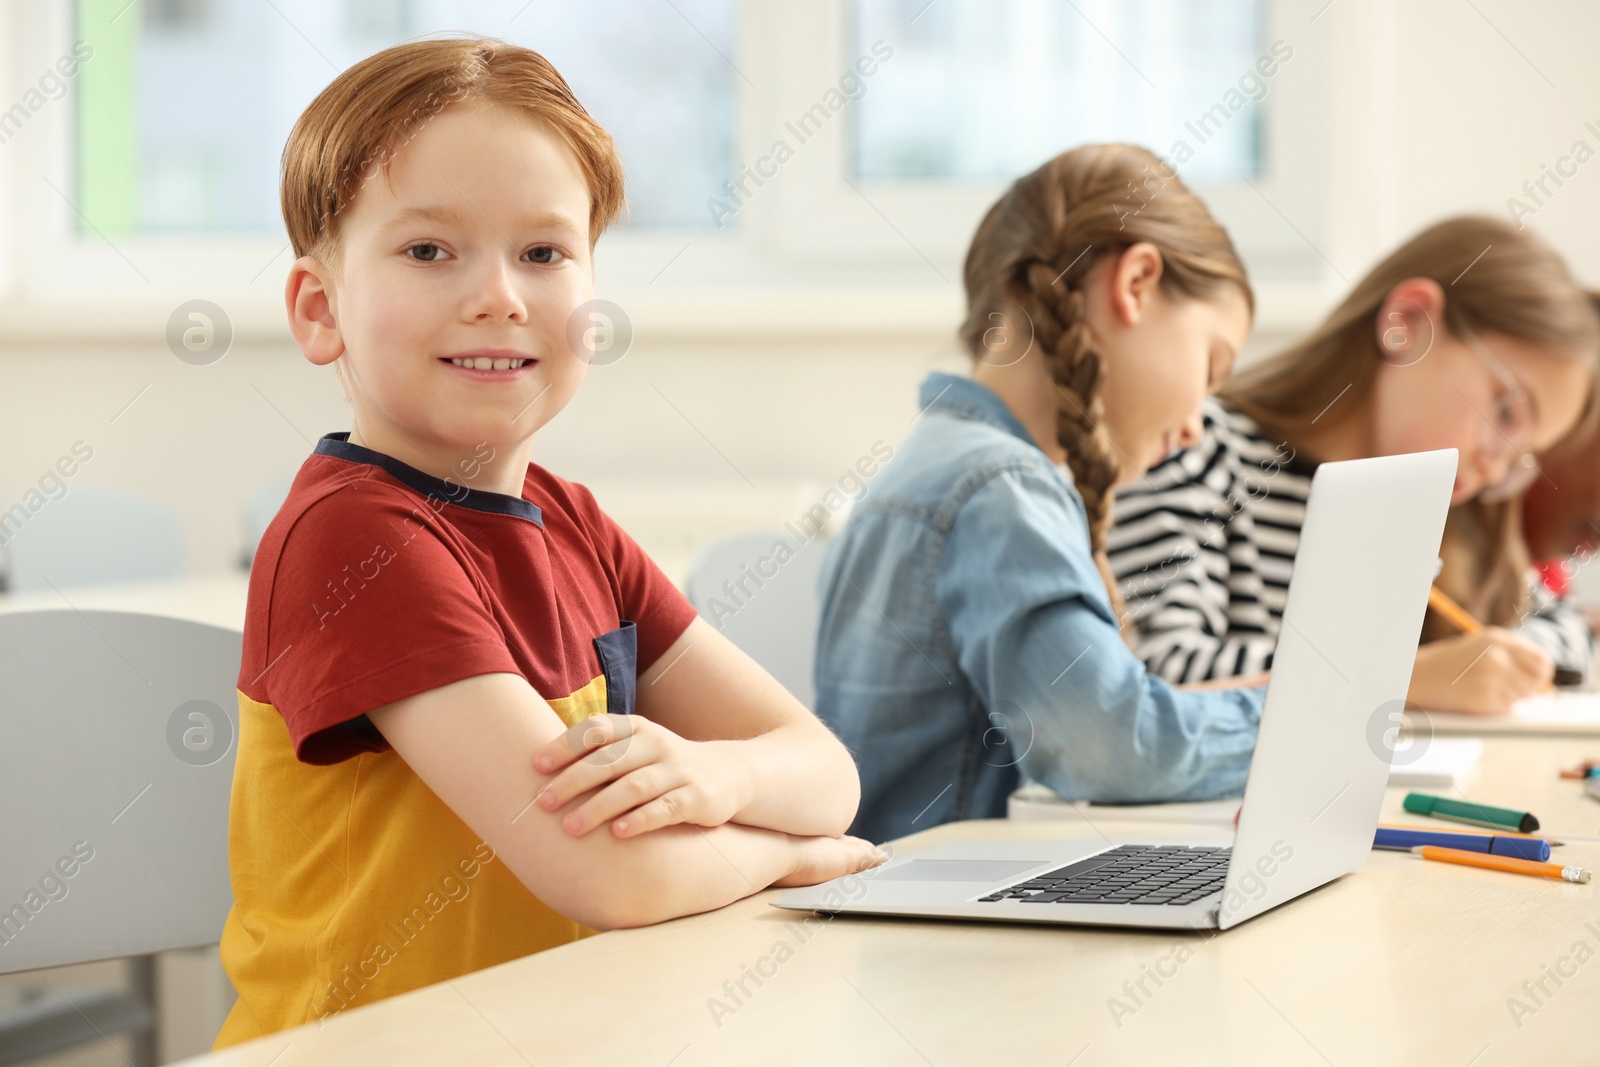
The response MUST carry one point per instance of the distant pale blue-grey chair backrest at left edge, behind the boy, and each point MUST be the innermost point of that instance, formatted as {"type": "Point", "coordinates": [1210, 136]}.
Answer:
{"type": "Point", "coordinates": [92, 537]}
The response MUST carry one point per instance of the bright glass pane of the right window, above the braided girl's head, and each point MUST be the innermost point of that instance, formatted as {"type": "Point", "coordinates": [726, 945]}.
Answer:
{"type": "Point", "coordinates": [986, 90]}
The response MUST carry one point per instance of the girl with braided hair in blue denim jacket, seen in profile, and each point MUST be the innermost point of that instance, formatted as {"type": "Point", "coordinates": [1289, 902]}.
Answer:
{"type": "Point", "coordinates": [970, 629]}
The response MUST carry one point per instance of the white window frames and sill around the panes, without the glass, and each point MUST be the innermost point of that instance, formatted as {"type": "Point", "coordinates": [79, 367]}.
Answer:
{"type": "Point", "coordinates": [791, 246]}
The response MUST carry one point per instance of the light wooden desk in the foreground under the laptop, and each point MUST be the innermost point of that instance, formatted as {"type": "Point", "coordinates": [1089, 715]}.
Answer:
{"type": "Point", "coordinates": [1402, 962]}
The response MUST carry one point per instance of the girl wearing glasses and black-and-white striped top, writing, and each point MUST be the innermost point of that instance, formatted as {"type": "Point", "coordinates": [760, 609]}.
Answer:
{"type": "Point", "coordinates": [1473, 337]}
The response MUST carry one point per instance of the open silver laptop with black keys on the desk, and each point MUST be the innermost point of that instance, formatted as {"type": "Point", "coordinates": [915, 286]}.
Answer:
{"type": "Point", "coordinates": [1340, 676]}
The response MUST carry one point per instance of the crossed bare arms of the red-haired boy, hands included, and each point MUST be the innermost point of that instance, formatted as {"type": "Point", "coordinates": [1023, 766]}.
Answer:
{"type": "Point", "coordinates": [474, 745]}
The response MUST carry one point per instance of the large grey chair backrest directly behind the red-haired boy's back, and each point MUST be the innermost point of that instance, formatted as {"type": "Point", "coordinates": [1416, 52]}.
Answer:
{"type": "Point", "coordinates": [118, 740]}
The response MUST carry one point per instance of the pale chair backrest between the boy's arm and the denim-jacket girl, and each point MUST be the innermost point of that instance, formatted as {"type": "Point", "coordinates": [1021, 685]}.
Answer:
{"type": "Point", "coordinates": [761, 591]}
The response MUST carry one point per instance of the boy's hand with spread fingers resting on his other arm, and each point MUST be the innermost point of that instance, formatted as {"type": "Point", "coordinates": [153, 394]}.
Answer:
{"type": "Point", "coordinates": [657, 778]}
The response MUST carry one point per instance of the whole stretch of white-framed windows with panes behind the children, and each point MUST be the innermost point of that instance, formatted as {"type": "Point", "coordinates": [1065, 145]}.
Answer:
{"type": "Point", "coordinates": [826, 159]}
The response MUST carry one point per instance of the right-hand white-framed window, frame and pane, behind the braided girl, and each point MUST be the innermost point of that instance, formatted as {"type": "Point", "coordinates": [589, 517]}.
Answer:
{"type": "Point", "coordinates": [972, 94]}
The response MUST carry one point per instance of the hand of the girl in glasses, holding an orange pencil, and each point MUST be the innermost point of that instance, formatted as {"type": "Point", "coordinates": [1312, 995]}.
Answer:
{"type": "Point", "coordinates": [1482, 674]}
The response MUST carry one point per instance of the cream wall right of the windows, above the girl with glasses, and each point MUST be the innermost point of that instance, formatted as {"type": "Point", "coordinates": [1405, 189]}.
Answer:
{"type": "Point", "coordinates": [1444, 108]}
